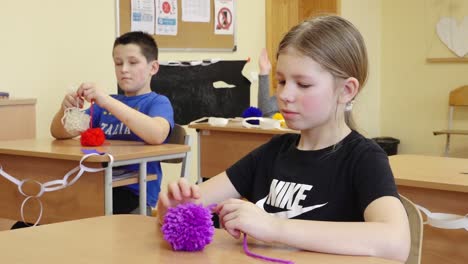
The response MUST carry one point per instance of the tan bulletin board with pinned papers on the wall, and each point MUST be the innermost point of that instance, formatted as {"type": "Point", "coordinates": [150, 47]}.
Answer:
{"type": "Point", "coordinates": [190, 35]}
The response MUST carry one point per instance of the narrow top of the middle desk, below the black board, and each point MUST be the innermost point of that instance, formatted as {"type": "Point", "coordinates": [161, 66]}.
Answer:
{"type": "Point", "coordinates": [237, 127]}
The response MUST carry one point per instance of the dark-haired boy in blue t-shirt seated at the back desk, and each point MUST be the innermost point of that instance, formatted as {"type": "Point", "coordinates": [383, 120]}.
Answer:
{"type": "Point", "coordinates": [136, 115]}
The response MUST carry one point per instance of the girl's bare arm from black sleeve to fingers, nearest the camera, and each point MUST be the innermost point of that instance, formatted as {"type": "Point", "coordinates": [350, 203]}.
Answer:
{"type": "Point", "coordinates": [385, 233]}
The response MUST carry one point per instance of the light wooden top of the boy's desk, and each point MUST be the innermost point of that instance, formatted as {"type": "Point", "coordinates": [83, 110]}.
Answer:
{"type": "Point", "coordinates": [70, 149]}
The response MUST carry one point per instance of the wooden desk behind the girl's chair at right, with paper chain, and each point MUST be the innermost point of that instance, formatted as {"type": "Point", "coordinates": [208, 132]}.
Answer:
{"type": "Point", "coordinates": [436, 183]}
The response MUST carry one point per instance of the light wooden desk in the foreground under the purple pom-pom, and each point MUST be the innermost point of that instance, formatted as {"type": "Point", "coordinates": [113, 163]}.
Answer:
{"type": "Point", "coordinates": [137, 239]}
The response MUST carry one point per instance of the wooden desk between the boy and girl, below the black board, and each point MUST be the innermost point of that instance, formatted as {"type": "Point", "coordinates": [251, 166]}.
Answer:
{"type": "Point", "coordinates": [220, 147]}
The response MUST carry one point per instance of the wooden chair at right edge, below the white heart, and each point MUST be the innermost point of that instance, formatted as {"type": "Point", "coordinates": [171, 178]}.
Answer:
{"type": "Point", "coordinates": [458, 97]}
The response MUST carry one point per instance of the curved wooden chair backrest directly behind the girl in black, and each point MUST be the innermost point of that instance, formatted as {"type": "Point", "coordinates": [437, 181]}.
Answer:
{"type": "Point", "coordinates": [416, 230]}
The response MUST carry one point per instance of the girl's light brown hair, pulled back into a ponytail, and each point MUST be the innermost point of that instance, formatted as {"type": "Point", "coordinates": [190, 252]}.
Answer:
{"type": "Point", "coordinates": [335, 44]}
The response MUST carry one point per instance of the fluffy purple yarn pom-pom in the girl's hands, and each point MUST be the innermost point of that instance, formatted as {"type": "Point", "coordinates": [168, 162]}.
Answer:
{"type": "Point", "coordinates": [188, 227]}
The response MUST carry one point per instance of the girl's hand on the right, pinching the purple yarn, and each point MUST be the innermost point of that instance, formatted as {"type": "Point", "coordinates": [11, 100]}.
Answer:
{"type": "Point", "coordinates": [238, 216]}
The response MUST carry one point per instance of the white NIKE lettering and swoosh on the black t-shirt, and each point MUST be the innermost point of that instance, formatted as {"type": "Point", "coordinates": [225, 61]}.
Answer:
{"type": "Point", "coordinates": [287, 195]}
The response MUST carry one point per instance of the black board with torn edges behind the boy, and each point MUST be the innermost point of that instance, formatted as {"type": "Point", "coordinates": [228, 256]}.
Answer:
{"type": "Point", "coordinates": [191, 92]}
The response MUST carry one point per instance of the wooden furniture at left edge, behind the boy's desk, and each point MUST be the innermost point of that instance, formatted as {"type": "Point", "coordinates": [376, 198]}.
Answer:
{"type": "Point", "coordinates": [19, 116]}
